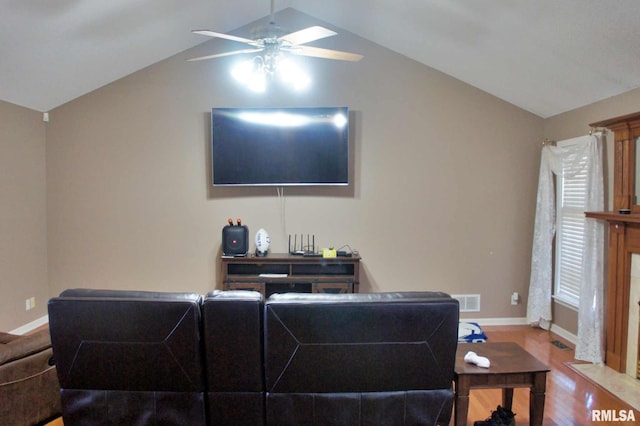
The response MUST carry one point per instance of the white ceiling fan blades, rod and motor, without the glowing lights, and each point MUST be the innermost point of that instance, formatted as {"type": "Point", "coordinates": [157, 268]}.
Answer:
{"type": "Point", "coordinates": [271, 40]}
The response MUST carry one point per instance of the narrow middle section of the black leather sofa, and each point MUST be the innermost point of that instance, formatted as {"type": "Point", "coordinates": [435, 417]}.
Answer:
{"type": "Point", "coordinates": [232, 328]}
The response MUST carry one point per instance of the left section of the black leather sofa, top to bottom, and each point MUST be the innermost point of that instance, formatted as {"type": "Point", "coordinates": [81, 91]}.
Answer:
{"type": "Point", "coordinates": [127, 357]}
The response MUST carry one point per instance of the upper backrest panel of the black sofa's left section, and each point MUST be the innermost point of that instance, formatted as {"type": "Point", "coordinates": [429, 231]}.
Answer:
{"type": "Point", "coordinates": [134, 341]}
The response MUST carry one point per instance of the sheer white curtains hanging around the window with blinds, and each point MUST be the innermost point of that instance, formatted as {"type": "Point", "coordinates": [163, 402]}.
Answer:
{"type": "Point", "coordinates": [590, 344]}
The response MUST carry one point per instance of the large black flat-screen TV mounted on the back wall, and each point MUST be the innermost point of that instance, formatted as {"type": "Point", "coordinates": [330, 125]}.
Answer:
{"type": "Point", "coordinates": [280, 146]}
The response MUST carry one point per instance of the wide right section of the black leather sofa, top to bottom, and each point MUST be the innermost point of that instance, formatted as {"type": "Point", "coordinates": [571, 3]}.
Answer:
{"type": "Point", "coordinates": [360, 358]}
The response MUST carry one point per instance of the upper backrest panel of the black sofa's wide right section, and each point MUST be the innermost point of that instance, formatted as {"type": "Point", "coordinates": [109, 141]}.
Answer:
{"type": "Point", "coordinates": [360, 342]}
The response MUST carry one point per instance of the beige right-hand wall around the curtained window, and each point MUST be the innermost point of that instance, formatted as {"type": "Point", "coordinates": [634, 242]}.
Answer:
{"type": "Point", "coordinates": [576, 123]}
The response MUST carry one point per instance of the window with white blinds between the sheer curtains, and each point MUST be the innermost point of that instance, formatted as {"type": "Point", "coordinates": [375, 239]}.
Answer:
{"type": "Point", "coordinates": [571, 193]}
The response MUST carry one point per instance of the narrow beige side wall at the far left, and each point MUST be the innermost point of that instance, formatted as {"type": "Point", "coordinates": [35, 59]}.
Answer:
{"type": "Point", "coordinates": [23, 248]}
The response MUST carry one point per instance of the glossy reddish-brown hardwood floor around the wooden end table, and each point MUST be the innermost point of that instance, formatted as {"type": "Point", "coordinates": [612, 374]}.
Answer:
{"type": "Point", "coordinates": [569, 397]}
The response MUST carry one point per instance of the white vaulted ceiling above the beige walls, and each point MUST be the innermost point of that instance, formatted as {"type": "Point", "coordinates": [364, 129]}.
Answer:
{"type": "Point", "coordinates": [545, 56]}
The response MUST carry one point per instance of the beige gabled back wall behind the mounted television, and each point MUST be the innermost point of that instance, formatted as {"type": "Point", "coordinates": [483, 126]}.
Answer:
{"type": "Point", "coordinates": [443, 195]}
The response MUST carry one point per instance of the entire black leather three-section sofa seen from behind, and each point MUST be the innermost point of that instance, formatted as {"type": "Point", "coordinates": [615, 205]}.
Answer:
{"type": "Point", "coordinates": [230, 358]}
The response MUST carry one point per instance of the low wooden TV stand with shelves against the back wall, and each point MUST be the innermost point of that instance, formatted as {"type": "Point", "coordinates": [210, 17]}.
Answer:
{"type": "Point", "coordinates": [283, 273]}
